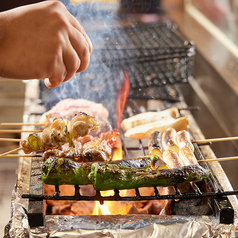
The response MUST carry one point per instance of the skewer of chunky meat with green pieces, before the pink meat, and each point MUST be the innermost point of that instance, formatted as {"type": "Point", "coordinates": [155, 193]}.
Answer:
{"type": "Point", "coordinates": [59, 132]}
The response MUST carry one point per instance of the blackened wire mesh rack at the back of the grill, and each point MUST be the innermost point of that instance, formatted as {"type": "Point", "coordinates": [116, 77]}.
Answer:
{"type": "Point", "coordinates": [154, 55]}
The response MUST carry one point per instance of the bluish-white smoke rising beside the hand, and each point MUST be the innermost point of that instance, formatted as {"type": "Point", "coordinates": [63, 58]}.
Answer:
{"type": "Point", "coordinates": [101, 81]}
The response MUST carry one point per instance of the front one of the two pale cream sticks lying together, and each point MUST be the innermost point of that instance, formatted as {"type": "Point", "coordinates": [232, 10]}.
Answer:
{"type": "Point", "coordinates": [144, 131]}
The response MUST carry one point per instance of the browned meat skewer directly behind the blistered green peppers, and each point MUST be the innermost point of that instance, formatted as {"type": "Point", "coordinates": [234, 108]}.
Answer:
{"type": "Point", "coordinates": [87, 149]}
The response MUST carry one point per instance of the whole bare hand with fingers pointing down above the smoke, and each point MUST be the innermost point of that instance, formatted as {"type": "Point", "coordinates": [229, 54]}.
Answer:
{"type": "Point", "coordinates": [42, 41]}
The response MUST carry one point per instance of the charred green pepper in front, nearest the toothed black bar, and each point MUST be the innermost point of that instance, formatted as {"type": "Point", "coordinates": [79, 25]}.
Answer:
{"type": "Point", "coordinates": [108, 176]}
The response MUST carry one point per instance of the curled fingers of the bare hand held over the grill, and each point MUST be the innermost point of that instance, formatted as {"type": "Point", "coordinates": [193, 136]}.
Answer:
{"type": "Point", "coordinates": [76, 50]}
